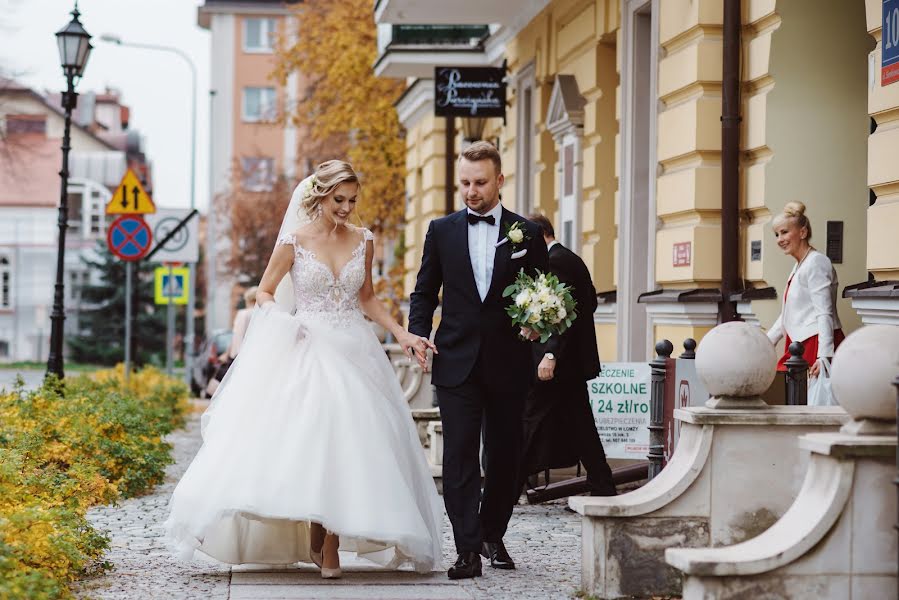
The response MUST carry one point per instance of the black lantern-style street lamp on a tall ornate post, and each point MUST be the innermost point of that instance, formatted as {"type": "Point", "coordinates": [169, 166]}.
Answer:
{"type": "Point", "coordinates": [74, 49]}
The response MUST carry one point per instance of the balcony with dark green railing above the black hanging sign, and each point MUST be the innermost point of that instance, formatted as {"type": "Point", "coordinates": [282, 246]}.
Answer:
{"type": "Point", "coordinates": [411, 50]}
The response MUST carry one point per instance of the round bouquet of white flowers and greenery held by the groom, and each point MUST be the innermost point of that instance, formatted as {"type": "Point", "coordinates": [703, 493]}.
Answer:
{"type": "Point", "coordinates": [543, 304]}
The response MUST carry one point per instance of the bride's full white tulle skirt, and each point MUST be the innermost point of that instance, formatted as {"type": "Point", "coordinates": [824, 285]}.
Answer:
{"type": "Point", "coordinates": [309, 425]}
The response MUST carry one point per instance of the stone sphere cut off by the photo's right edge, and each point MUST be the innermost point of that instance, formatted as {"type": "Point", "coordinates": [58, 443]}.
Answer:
{"type": "Point", "coordinates": [864, 367]}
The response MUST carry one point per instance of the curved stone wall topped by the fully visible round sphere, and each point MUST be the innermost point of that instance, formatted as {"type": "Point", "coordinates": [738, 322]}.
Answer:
{"type": "Point", "coordinates": [728, 449]}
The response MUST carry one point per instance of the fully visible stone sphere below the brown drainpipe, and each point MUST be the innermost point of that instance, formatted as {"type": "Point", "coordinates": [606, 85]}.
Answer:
{"type": "Point", "coordinates": [736, 359]}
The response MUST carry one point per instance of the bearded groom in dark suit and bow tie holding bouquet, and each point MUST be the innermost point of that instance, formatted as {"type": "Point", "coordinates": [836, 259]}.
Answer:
{"type": "Point", "coordinates": [482, 369]}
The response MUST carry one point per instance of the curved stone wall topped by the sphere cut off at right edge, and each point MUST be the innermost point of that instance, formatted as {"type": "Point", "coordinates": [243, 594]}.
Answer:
{"type": "Point", "coordinates": [836, 541]}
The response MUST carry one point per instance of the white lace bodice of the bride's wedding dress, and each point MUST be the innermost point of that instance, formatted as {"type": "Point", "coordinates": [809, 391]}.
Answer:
{"type": "Point", "coordinates": [317, 292]}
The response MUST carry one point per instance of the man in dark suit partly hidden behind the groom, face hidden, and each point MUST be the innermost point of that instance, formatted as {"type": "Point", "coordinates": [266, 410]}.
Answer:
{"type": "Point", "coordinates": [559, 429]}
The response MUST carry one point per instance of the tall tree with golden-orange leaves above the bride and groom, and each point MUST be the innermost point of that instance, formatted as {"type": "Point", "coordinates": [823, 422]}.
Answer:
{"type": "Point", "coordinates": [346, 109]}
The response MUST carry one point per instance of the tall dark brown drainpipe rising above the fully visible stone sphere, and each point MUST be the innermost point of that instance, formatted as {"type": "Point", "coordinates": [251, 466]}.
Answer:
{"type": "Point", "coordinates": [730, 162]}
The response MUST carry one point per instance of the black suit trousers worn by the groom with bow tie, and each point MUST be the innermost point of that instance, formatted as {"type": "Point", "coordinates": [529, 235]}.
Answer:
{"type": "Point", "coordinates": [500, 404]}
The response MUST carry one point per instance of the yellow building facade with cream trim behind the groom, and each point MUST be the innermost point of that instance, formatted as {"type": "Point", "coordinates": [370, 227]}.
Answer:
{"type": "Point", "coordinates": [613, 130]}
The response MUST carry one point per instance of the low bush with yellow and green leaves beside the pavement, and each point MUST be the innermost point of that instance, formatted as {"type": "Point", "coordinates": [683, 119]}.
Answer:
{"type": "Point", "coordinates": [62, 452]}
